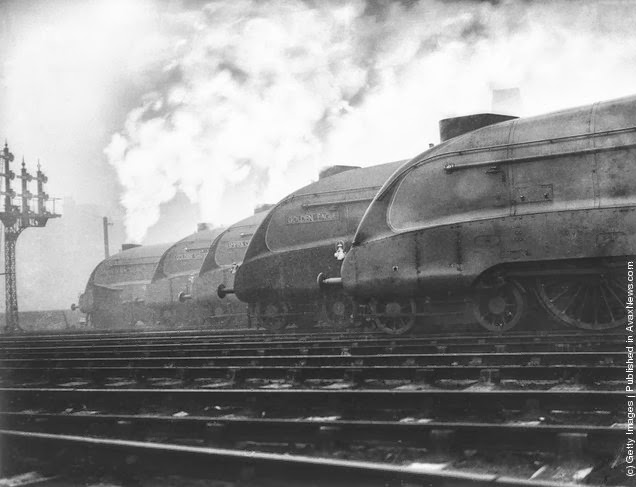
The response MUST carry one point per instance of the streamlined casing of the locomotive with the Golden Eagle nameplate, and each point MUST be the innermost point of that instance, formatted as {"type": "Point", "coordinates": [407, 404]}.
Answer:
{"type": "Point", "coordinates": [301, 235]}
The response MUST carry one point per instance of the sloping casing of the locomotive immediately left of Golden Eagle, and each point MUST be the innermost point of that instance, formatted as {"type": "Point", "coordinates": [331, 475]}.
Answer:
{"type": "Point", "coordinates": [219, 269]}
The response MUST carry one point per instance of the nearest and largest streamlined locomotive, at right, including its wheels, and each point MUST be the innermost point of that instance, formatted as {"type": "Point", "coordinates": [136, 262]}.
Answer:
{"type": "Point", "coordinates": [536, 207]}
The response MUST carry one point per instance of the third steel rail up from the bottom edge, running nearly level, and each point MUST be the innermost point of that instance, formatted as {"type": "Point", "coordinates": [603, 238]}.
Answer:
{"type": "Point", "coordinates": [490, 402]}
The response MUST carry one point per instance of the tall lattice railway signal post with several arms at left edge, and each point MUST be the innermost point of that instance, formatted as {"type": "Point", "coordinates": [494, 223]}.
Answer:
{"type": "Point", "coordinates": [15, 219]}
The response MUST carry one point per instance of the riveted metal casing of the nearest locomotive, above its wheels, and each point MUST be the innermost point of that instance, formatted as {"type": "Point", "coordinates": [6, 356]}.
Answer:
{"type": "Point", "coordinates": [520, 195]}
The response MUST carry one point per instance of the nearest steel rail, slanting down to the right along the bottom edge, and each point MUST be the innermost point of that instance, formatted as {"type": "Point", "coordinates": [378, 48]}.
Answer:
{"type": "Point", "coordinates": [215, 463]}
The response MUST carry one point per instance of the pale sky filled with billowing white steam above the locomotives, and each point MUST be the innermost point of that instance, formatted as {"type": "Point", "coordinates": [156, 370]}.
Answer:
{"type": "Point", "coordinates": [224, 105]}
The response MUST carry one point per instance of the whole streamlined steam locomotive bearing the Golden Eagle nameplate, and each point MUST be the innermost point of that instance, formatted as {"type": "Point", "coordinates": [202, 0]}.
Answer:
{"type": "Point", "coordinates": [305, 234]}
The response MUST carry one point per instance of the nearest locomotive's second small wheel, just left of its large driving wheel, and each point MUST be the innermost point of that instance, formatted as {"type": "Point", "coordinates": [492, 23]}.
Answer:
{"type": "Point", "coordinates": [500, 308]}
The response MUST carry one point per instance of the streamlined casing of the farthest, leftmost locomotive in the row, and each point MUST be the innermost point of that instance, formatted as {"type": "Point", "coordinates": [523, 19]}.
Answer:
{"type": "Point", "coordinates": [115, 294]}
